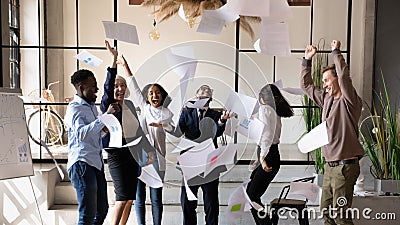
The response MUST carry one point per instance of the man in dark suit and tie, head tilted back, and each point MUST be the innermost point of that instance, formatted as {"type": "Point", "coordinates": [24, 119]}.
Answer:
{"type": "Point", "coordinates": [190, 124]}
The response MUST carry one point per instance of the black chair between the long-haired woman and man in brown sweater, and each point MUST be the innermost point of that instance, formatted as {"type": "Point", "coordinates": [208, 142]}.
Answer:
{"type": "Point", "coordinates": [283, 203]}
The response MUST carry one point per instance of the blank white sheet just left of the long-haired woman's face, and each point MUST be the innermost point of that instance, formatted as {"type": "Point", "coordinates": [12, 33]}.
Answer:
{"type": "Point", "coordinates": [241, 104]}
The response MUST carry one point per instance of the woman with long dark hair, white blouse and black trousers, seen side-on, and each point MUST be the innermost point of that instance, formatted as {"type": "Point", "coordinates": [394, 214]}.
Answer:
{"type": "Point", "coordinates": [273, 106]}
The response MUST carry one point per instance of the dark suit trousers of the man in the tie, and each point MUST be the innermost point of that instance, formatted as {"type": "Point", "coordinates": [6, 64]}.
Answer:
{"type": "Point", "coordinates": [211, 203]}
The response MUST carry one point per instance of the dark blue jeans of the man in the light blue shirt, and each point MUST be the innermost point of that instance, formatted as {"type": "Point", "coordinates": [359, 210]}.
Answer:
{"type": "Point", "coordinates": [91, 190]}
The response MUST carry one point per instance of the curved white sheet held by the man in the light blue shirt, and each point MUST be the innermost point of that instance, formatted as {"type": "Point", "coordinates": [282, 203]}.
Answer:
{"type": "Point", "coordinates": [114, 128]}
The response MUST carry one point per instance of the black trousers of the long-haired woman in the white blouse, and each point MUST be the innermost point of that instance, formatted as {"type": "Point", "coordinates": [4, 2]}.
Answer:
{"type": "Point", "coordinates": [260, 181]}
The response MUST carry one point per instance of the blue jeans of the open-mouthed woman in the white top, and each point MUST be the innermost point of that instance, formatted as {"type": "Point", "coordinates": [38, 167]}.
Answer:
{"type": "Point", "coordinates": [156, 204]}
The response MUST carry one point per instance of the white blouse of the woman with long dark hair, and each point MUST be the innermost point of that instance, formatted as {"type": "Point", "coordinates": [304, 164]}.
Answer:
{"type": "Point", "coordinates": [272, 129]}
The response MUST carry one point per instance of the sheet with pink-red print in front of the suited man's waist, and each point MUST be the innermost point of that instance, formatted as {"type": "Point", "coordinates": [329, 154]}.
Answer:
{"type": "Point", "coordinates": [223, 155]}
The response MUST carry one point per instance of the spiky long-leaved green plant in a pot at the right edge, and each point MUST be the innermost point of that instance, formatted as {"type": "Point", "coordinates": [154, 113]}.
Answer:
{"type": "Point", "coordinates": [380, 140]}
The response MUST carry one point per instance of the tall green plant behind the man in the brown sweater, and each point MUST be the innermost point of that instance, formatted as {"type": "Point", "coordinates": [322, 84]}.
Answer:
{"type": "Point", "coordinates": [312, 114]}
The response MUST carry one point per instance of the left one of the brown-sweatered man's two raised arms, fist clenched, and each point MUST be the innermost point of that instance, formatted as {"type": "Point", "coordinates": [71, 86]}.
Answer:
{"type": "Point", "coordinates": [306, 81]}
